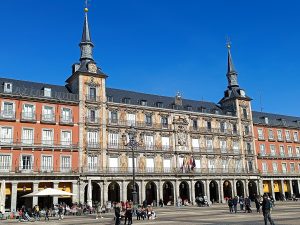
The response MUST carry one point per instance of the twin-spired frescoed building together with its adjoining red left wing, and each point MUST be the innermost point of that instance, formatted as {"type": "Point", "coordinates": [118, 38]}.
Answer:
{"type": "Point", "coordinates": [75, 137]}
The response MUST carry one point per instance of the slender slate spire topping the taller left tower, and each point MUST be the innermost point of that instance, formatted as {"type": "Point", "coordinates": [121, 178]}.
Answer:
{"type": "Point", "coordinates": [86, 44]}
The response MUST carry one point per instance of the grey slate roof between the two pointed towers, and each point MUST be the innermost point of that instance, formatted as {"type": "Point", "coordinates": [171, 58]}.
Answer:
{"type": "Point", "coordinates": [168, 102]}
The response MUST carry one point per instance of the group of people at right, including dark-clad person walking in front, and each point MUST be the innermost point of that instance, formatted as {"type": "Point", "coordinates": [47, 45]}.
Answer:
{"type": "Point", "coordinates": [263, 203]}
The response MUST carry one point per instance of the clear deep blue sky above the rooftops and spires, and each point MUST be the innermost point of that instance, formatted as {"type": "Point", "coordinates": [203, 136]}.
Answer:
{"type": "Point", "coordinates": [161, 46]}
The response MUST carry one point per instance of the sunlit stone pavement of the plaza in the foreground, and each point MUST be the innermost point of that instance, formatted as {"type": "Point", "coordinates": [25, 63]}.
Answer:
{"type": "Point", "coordinates": [285, 213]}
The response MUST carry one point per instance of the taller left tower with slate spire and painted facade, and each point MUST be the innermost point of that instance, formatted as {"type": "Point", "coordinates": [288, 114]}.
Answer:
{"type": "Point", "coordinates": [89, 82]}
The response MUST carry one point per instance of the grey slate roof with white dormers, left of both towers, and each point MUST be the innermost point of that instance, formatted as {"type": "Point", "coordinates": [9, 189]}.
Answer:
{"type": "Point", "coordinates": [33, 89]}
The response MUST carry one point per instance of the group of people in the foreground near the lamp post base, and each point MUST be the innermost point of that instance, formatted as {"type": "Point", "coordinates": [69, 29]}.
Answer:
{"type": "Point", "coordinates": [126, 210]}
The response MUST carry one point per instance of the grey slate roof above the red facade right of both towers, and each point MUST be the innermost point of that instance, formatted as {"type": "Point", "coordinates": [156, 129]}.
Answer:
{"type": "Point", "coordinates": [275, 120]}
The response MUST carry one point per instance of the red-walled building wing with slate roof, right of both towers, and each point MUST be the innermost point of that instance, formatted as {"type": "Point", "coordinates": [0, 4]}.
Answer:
{"type": "Point", "coordinates": [278, 153]}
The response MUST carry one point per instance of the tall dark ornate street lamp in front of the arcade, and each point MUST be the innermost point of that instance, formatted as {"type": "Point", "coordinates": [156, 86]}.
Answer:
{"type": "Point", "coordinates": [132, 144]}
